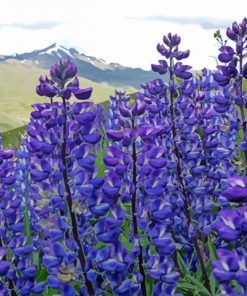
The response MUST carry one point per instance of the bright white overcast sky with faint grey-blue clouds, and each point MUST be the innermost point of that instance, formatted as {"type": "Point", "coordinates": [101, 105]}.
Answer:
{"type": "Point", "coordinates": [124, 31]}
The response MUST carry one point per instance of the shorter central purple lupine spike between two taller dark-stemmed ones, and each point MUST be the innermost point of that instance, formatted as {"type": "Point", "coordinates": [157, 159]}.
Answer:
{"type": "Point", "coordinates": [132, 155]}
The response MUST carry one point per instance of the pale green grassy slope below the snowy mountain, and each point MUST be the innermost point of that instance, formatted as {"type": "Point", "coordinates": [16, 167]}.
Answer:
{"type": "Point", "coordinates": [17, 93]}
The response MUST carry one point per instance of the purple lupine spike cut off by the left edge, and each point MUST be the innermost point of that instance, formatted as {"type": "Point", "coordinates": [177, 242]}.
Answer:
{"type": "Point", "coordinates": [14, 200]}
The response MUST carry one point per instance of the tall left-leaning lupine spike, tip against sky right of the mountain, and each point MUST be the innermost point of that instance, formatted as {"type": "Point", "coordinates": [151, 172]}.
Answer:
{"type": "Point", "coordinates": [202, 149]}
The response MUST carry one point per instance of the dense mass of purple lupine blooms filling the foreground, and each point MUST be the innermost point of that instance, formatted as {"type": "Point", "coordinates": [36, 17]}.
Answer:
{"type": "Point", "coordinates": [167, 218]}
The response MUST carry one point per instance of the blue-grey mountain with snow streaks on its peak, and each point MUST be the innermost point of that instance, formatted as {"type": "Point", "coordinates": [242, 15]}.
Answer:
{"type": "Point", "coordinates": [88, 67]}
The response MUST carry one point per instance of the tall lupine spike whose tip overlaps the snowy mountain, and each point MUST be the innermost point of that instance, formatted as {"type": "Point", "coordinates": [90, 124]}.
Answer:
{"type": "Point", "coordinates": [62, 138]}
